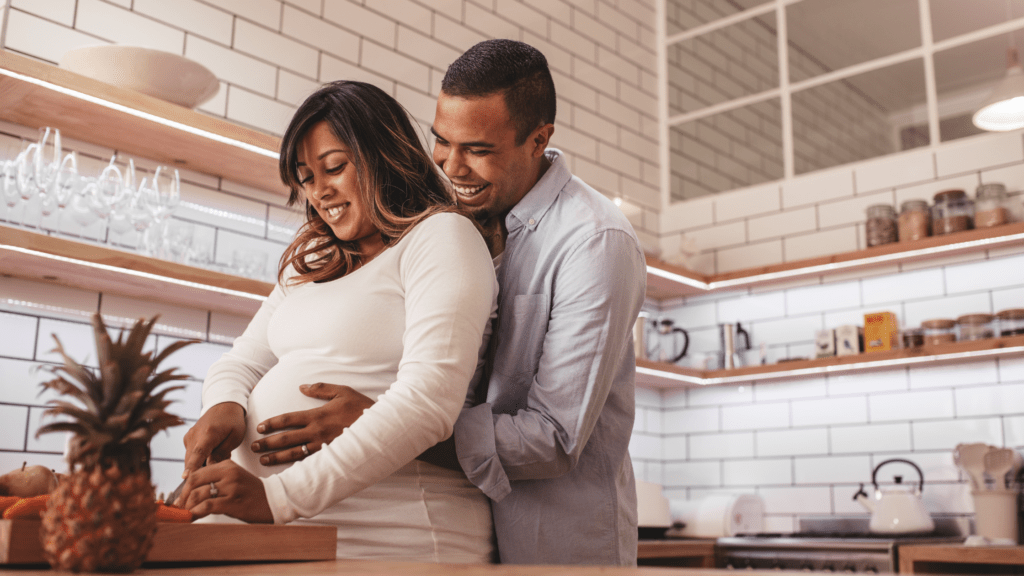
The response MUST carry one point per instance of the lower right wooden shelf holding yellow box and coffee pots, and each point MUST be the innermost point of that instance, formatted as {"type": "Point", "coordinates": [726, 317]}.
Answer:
{"type": "Point", "coordinates": [661, 376]}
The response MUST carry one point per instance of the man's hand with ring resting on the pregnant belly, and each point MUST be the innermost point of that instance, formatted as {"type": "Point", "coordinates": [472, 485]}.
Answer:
{"type": "Point", "coordinates": [310, 429]}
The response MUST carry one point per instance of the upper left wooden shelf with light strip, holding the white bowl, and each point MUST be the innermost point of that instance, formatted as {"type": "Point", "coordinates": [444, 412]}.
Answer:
{"type": "Point", "coordinates": [37, 95]}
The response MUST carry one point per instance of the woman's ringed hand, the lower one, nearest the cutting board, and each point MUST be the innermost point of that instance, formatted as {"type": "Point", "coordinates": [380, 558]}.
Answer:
{"type": "Point", "coordinates": [226, 488]}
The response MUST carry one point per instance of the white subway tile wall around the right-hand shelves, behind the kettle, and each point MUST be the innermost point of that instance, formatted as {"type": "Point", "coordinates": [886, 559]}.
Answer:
{"type": "Point", "coordinates": [817, 439]}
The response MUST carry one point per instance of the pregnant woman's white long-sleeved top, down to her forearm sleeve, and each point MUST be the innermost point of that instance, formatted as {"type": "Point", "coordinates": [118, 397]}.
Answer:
{"type": "Point", "coordinates": [406, 330]}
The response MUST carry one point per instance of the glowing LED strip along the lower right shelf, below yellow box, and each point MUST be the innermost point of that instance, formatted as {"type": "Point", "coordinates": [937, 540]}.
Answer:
{"type": "Point", "coordinates": [833, 369]}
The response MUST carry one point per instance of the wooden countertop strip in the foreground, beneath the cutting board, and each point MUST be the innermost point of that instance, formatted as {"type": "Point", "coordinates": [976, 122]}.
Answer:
{"type": "Point", "coordinates": [354, 567]}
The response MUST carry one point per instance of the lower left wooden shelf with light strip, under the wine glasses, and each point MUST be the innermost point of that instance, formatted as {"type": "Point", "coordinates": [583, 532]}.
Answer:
{"type": "Point", "coordinates": [48, 259]}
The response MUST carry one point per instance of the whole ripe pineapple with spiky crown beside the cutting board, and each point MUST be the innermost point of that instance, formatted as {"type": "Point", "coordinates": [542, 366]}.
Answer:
{"type": "Point", "coordinates": [102, 516]}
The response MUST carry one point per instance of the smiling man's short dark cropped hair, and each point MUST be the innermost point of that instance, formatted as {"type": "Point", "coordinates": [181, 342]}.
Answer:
{"type": "Point", "coordinates": [516, 69]}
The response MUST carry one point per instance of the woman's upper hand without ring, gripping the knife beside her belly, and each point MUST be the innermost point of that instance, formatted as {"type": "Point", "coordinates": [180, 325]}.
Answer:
{"type": "Point", "coordinates": [221, 430]}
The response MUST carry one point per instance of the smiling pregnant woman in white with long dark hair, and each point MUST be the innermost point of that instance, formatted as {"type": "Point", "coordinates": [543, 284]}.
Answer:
{"type": "Point", "coordinates": [389, 290]}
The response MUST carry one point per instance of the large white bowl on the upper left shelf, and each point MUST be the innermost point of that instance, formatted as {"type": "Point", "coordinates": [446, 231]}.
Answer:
{"type": "Point", "coordinates": [162, 75]}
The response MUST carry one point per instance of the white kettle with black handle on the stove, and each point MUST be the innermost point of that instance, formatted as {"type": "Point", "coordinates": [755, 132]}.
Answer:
{"type": "Point", "coordinates": [897, 511]}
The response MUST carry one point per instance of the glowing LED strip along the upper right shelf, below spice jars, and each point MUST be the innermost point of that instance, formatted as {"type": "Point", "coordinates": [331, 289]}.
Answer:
{"type": "Point", "coordinates": [832, 267]}
